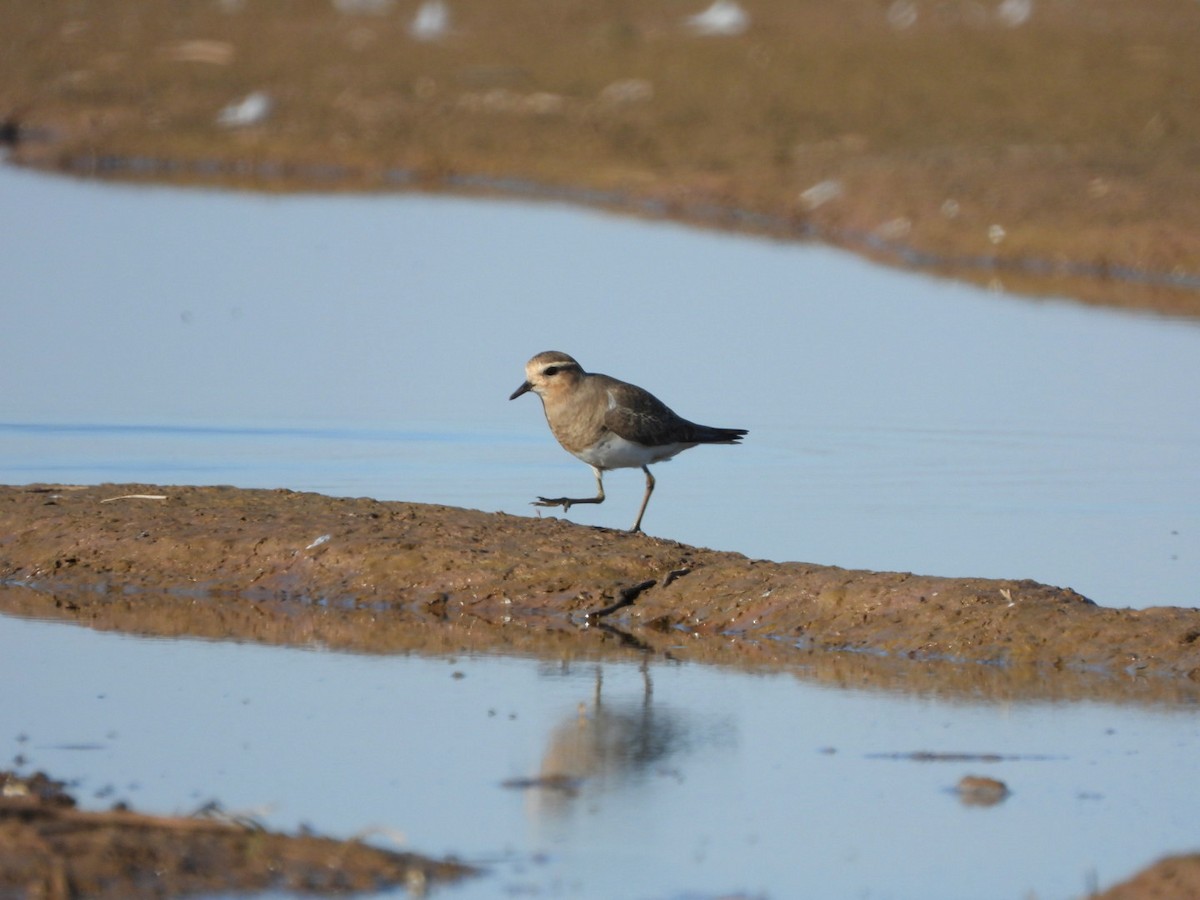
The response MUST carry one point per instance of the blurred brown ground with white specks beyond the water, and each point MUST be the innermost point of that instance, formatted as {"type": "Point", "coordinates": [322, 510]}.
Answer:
{"type": "Point", "coordinates": [1054, 153]}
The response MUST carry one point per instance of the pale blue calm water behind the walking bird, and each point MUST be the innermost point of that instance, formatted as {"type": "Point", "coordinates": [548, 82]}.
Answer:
{"type": "Point", "coordinates": [368, 346]}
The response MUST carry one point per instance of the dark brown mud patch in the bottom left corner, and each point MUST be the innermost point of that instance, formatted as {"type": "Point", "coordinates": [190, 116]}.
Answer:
{"type": "Point", "coordinates": [50, 850]}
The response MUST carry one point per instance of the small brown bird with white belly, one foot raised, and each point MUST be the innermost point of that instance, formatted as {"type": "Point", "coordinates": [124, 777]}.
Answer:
{"type": "Point", "coordinates": [610, 424]}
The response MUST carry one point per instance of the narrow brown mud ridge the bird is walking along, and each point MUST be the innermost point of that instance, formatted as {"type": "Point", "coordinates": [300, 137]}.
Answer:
{"type": "Point", "coordinates": [361, 574]}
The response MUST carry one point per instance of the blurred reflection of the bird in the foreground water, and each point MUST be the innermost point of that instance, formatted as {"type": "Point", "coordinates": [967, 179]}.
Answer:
{"type": "Point", "coordinates": [604, 746]}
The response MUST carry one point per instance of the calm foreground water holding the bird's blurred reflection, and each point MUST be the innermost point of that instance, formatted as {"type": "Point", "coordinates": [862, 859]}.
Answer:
{"type": "Point", "coordinates": [700, 781]}
